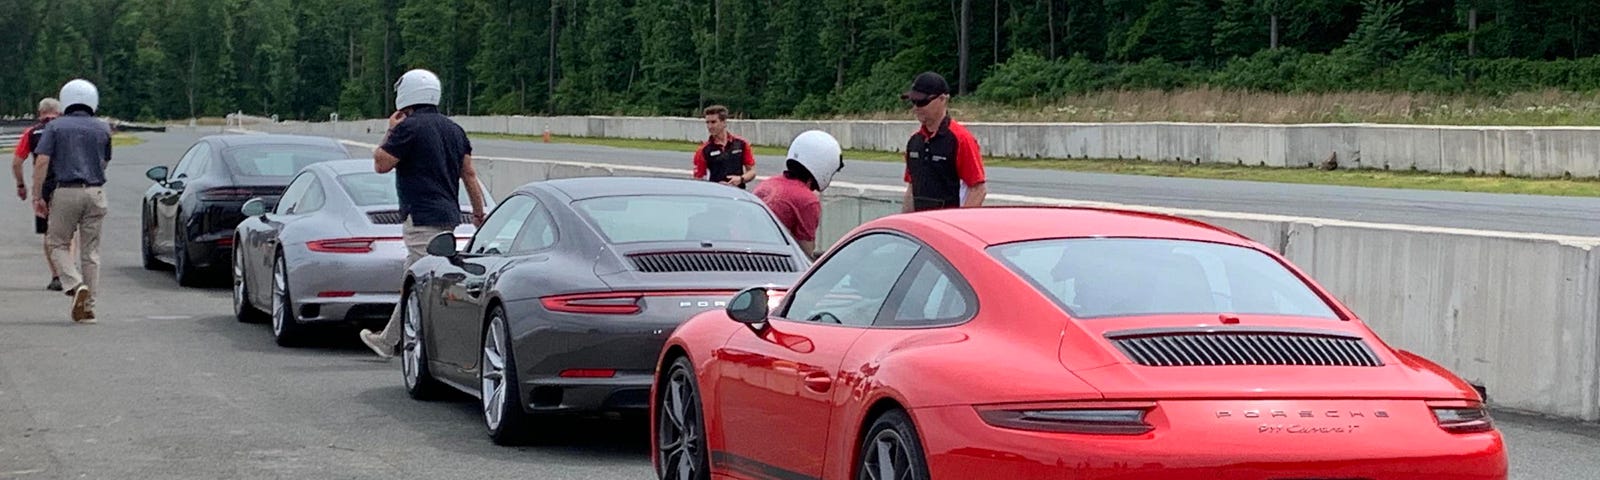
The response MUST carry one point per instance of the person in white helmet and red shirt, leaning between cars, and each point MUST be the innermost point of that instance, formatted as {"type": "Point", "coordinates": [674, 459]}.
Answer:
{"type": "Point", "coordinates": [814, 161]}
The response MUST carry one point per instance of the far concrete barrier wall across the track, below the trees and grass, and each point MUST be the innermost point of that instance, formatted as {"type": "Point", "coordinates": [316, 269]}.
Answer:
{"type": "Point", "coordinates": [1519, 151]}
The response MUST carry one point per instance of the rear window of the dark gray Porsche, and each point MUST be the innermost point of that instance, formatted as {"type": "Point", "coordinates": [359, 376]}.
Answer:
{"type": "Point", "coordinates": [678, 218]}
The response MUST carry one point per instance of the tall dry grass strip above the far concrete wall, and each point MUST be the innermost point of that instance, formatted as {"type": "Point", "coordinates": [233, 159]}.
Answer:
{"type": "Point", "coordinates": [1207, 105]}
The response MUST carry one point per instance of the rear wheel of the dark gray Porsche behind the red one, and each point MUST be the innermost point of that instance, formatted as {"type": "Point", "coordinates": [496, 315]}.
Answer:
{"type": "Point", "coordinates": [502, 391]}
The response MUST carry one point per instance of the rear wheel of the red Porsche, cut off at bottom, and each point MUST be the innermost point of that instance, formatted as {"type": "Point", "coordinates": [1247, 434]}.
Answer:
{"type": "Point", "coordinates": [892, 450]}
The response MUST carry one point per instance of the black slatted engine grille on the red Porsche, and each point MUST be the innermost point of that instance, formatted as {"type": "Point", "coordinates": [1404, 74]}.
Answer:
{"type": "Point", "coordinates": [1247, 348]}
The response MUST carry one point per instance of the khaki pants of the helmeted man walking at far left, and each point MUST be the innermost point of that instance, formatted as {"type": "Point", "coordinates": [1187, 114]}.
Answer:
{"type": "Point", "coordinates": [78, 210]}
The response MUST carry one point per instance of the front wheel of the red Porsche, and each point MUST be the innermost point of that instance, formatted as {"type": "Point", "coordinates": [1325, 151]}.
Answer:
{"type": "Point", "coordinates": [681, 430]}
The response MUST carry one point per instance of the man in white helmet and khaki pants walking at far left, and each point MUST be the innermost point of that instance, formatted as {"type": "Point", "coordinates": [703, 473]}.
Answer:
{"type": "Point", "coordinates": [74, 150]}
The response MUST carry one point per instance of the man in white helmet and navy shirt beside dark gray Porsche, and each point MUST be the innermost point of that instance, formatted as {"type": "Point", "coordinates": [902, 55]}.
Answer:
{"type": "Point", "coordinates": [431, 158]}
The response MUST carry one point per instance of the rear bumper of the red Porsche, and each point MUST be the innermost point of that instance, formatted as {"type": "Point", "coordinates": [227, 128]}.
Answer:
{"type": "Point", "coordinates": [1222, 439]}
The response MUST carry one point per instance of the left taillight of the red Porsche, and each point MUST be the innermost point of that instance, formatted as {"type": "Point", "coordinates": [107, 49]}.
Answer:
{"type": "Point", "coordinates": [1089, 418]}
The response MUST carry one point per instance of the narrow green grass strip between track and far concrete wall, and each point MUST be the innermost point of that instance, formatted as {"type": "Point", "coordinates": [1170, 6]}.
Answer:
{"type": "Point", "coordinates": [1354, 178]}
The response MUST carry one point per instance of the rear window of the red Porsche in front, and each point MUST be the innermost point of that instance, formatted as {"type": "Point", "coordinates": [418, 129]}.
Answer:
{"type": "Point", "coordinates": [1129, 278]}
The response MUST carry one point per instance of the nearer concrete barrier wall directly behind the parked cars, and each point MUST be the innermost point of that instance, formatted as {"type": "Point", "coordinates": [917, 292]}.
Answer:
{"type": "Point", "coordinates": [1516, 314]}
